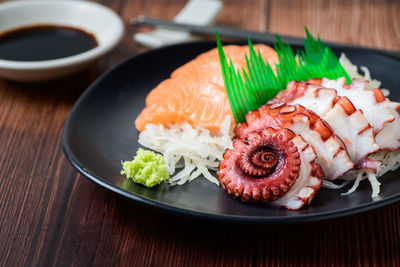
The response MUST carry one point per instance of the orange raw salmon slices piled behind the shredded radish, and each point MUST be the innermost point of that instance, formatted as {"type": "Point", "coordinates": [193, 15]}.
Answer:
{"type": "Point", "coordinates": [195, 92]}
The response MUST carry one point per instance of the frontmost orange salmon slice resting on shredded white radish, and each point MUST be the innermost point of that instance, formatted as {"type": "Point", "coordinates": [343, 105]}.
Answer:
{"type": "Point", "coordinates": [201, 104]}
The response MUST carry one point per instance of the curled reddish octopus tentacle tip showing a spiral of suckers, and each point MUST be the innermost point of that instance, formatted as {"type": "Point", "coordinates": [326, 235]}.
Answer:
{"type": "Point", "coordinates": [245, 177]}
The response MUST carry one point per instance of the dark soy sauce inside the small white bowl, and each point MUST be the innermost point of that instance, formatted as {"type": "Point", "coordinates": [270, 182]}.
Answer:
{"type": "Point", "coordinates": [44, 42]}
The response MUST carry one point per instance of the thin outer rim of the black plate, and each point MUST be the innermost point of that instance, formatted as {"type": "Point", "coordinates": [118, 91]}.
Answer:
{"type": "Point", "coordinates": [226, 218]}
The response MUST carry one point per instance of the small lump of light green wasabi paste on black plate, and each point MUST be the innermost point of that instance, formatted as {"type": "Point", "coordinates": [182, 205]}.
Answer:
{"type": "Point", "coordinates": [146, 168]}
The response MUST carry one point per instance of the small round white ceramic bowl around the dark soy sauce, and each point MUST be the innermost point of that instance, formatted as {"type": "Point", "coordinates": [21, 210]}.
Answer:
{"type": "Point", "coordinates": [91, 17]}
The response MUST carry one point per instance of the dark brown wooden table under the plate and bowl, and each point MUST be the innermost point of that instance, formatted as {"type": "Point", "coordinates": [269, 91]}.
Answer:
{"type": "Point", "coordinates": [51, 215]}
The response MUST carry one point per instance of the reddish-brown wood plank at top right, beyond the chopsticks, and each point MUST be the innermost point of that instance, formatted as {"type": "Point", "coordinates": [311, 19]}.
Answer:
{"type": "Point", "coordinates": [371, 23]}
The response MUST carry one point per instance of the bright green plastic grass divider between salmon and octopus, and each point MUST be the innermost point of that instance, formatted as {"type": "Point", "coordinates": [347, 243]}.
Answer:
{"type": "Point", "coordinates": [248, 90]}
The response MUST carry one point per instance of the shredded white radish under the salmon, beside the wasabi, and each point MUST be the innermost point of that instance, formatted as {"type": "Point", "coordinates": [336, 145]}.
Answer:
{"type": "Point", "coordinates": [194, 148]}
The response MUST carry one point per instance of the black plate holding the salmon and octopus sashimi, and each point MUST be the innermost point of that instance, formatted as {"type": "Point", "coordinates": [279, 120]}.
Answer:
{"type": "Point", "coordinates": [100, 132]}
